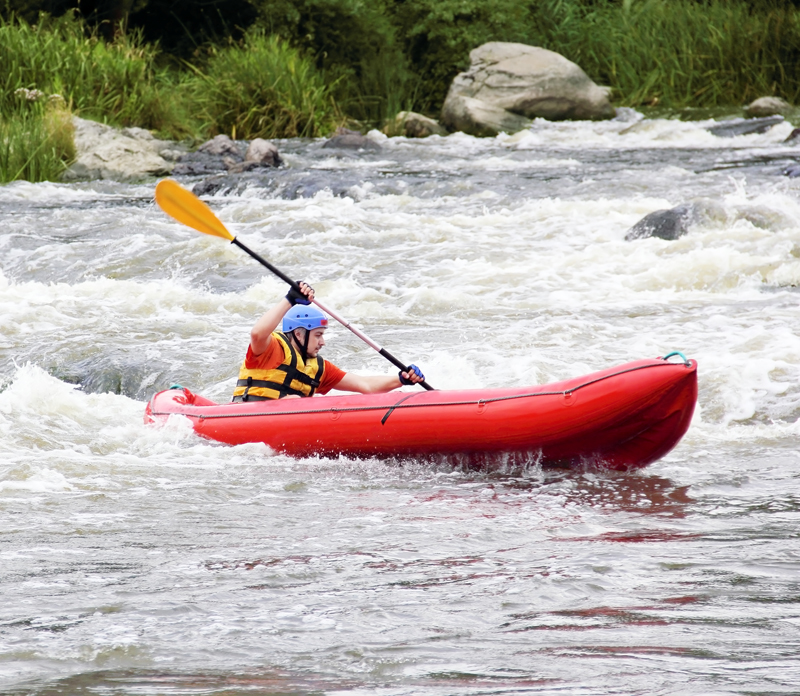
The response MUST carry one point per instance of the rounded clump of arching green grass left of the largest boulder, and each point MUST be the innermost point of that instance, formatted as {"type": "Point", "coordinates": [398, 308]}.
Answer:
{"type": "Point", "coordinates": [263, 88]}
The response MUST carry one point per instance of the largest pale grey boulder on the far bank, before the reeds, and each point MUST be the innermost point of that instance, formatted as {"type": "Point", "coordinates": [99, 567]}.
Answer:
{"type": "Point", "coordinates": [526, 81]}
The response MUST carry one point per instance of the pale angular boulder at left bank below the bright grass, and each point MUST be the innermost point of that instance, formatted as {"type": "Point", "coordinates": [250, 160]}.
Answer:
{"type": "Point", "coordinates": [127, 154]}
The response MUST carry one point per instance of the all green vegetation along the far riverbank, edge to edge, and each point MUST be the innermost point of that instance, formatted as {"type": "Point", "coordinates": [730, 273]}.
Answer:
{"type": "Point", "coordinates": [286, 68]}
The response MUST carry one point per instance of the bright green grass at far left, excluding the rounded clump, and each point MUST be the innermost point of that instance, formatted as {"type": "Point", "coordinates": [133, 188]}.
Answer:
{"type": "Point", "coordinates": [59, 67]}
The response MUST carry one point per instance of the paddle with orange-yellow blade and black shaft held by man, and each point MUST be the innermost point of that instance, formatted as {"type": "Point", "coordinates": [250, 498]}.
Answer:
{"type": "Point", "coordinates": [185, 207]}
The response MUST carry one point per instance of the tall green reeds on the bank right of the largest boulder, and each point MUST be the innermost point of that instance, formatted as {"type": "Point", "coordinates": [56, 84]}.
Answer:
{"type": "Point", "coordinates": [678, 53]}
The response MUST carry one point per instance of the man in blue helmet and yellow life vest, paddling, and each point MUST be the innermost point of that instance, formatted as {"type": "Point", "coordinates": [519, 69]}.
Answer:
{"type": "Point", "coordinates": [286, 364]}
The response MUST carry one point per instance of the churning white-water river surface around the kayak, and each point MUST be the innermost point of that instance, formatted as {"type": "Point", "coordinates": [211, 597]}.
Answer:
{"type": "Point", "coordinates": [144, 560]}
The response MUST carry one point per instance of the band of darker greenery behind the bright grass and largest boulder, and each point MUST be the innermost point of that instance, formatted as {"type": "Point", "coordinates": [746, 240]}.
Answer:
{"type": "Point", "coordinates": [381, 56]}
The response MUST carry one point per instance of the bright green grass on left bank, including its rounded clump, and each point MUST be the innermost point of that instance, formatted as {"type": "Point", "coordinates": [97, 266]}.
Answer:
{"type": "Point", "coordinates": [261, 87]}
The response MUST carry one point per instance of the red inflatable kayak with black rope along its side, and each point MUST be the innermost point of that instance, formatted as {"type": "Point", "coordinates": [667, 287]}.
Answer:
{"type": "Point", "coordinates": [623, 417]}
